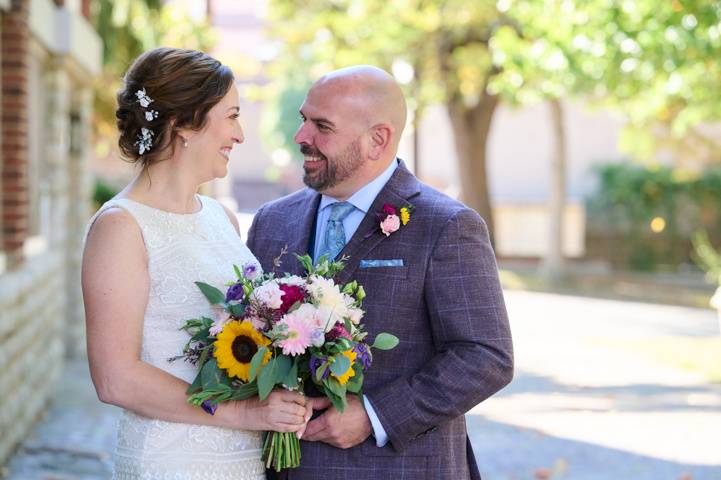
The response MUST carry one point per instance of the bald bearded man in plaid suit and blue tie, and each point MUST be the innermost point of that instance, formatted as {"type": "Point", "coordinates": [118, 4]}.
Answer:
{"type": "Point", "coordinates": [430, 279]}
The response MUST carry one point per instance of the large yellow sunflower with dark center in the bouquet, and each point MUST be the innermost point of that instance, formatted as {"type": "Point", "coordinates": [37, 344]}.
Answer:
{"type": "Point", "coordinates": [235, 347]}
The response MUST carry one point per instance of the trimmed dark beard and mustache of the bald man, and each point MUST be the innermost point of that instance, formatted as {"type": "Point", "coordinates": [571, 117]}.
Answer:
{"type": "Point", "coordinates": [333, 170]}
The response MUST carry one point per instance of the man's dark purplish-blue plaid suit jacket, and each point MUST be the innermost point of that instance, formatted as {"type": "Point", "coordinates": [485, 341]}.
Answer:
{"type": "Point", "coordinates": [444, 304]}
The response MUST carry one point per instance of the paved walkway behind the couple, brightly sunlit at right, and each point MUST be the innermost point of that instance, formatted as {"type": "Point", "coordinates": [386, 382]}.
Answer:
{"type": "Point", "coordinates": [579, 408]}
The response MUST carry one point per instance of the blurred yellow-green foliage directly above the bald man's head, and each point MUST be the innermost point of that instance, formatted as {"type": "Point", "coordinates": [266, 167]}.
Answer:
{"type": "Point", "coordinates": [444, 42]}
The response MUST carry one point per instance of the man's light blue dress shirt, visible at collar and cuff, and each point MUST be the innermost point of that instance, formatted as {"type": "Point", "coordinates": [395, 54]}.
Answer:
{"type": "Point", "coordinates": [362, 200]}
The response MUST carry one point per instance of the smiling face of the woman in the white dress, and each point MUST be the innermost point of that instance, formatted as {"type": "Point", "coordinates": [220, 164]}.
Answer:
{"type": "Point", "coordinates": [213, 144]}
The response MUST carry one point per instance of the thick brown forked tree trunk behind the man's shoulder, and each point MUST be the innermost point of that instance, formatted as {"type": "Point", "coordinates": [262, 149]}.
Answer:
{"type": "Point", "coordinates": [471, 127]}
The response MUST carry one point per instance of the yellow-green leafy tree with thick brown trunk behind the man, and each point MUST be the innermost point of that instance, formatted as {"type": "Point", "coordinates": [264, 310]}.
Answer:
{"type": "Point", "coordinates": [447, 42]}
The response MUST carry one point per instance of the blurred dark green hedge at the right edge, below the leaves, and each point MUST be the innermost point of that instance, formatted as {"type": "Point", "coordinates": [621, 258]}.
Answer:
{"type": "Point", "coordinates": [632, 201]}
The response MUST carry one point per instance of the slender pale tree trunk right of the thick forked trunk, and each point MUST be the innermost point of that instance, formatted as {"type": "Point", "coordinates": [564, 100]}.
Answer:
{"type": "Point", "coordinates": [553, 263]}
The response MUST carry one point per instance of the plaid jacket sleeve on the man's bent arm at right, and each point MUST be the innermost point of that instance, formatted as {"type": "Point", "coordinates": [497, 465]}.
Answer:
{"type": "Point", "coordinates": [471, 332]}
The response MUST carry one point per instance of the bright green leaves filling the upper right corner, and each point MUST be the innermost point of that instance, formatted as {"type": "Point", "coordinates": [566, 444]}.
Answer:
{"type": "Point", "coordinates": [657, 63]}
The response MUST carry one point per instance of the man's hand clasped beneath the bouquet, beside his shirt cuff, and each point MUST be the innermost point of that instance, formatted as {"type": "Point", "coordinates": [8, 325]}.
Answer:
{"type": "Point", "coordinates": [342, 430]}
